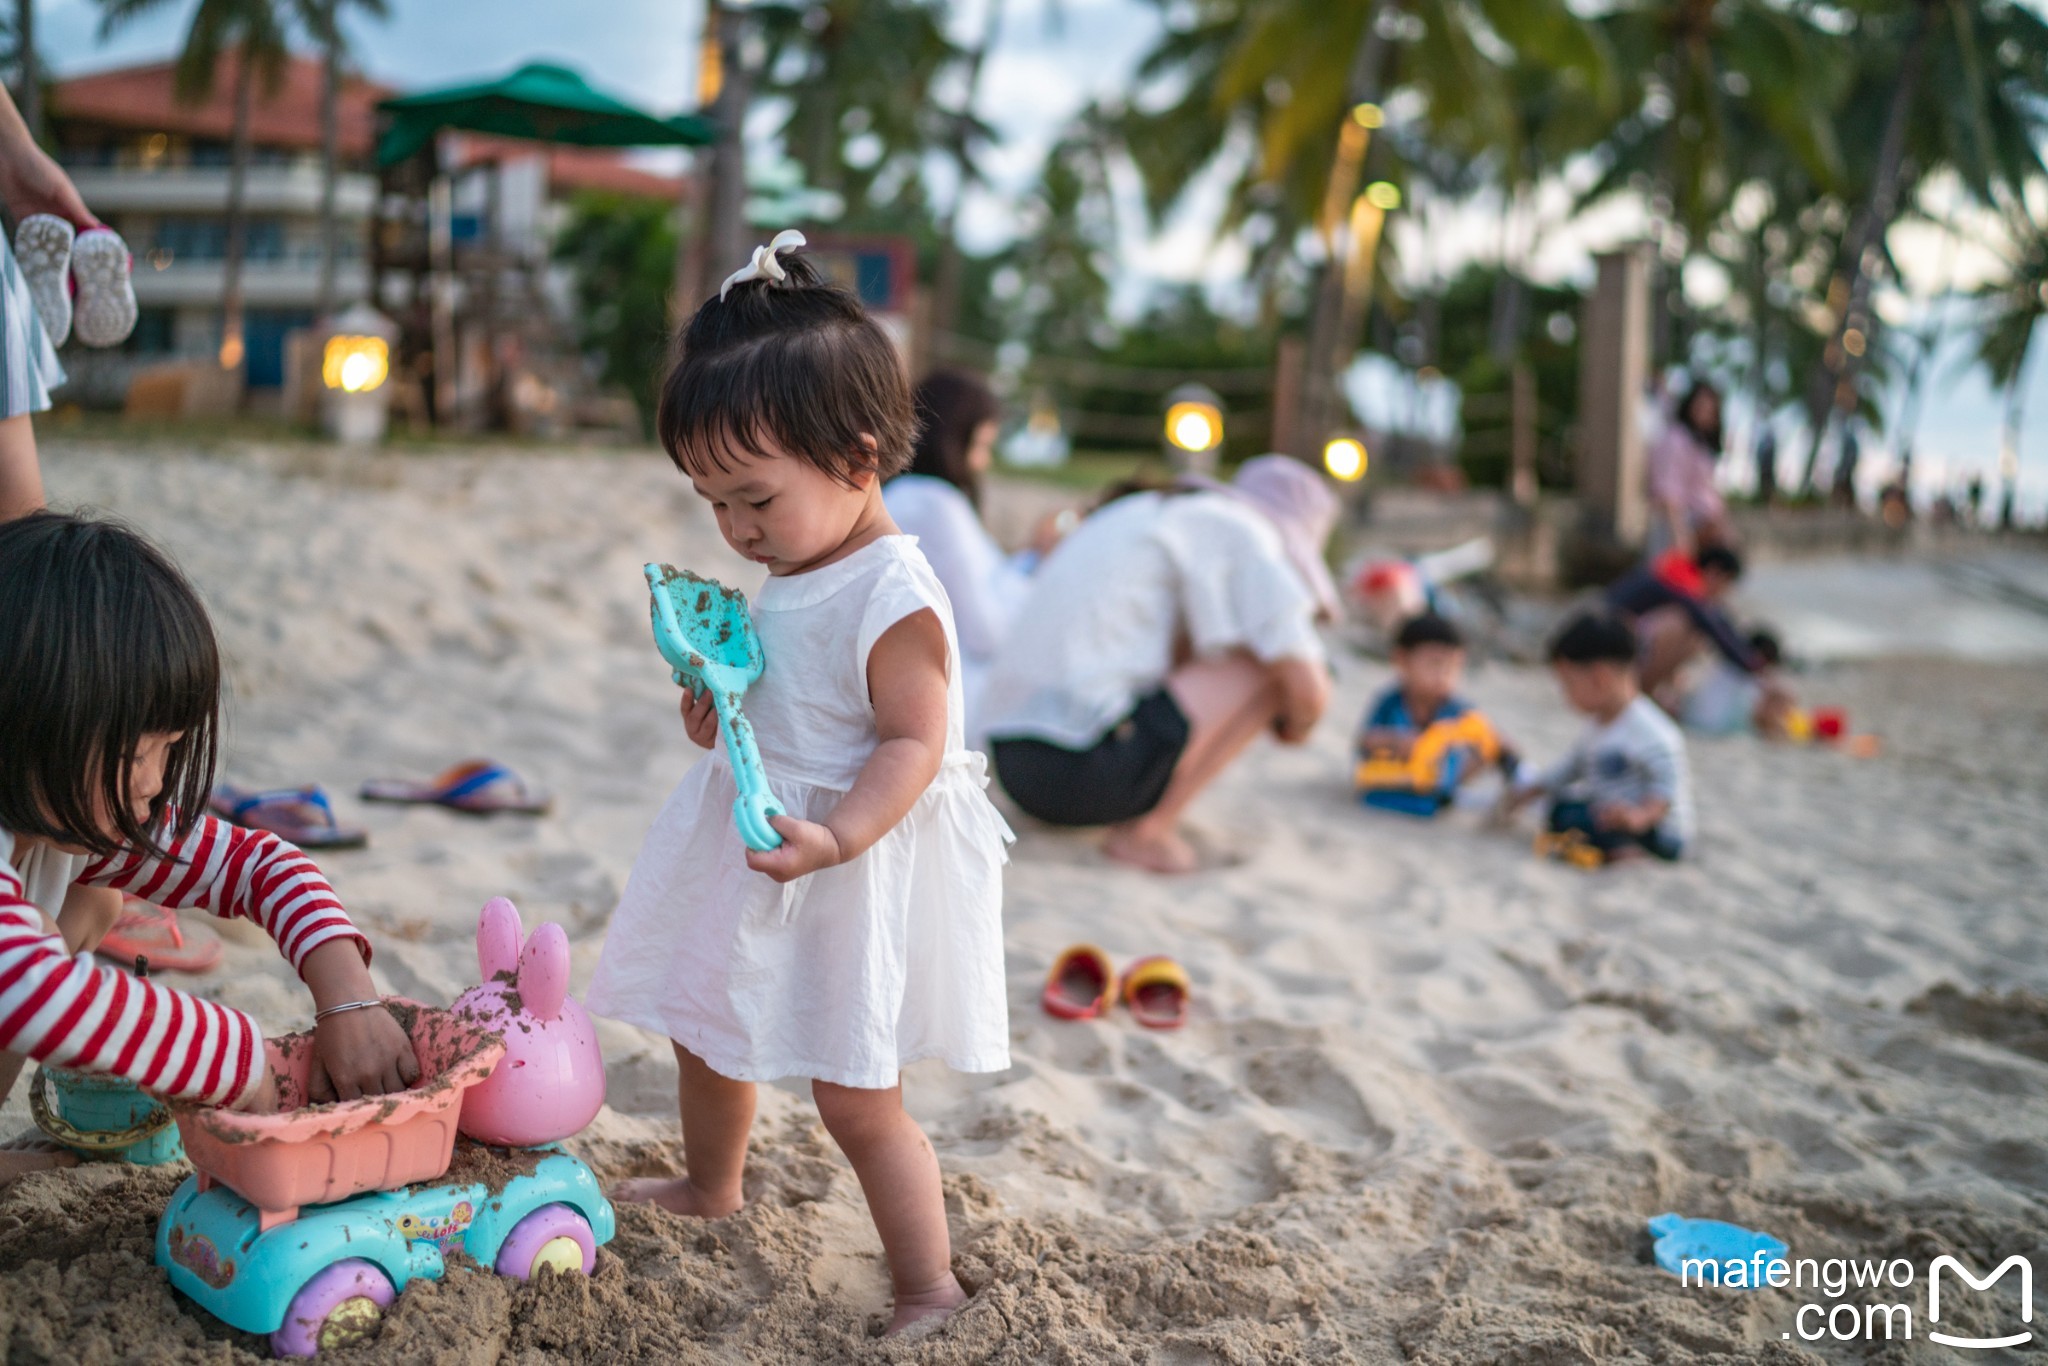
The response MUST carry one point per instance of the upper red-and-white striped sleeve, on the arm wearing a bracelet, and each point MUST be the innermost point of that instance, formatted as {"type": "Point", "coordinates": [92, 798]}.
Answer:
{"type": "Point", "coordinates": [234, 871]}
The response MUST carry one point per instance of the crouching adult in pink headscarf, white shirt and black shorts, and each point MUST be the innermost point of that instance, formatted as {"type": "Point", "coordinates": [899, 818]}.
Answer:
{"type": "Point", "coordinates": [1162, 636]}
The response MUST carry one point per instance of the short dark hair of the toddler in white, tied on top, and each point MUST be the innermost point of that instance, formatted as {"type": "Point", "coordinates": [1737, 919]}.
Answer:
{"type": "Point", "coordinates": [792, 364]}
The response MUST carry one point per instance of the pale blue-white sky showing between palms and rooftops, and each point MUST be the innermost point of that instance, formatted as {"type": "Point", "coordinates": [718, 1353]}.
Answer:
{"type": "Point", "coordinates": [1052, 60]}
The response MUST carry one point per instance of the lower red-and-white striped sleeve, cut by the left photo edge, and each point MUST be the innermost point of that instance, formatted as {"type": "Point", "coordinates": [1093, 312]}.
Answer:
{"type": "Point", "coordinates": [67, 1011]}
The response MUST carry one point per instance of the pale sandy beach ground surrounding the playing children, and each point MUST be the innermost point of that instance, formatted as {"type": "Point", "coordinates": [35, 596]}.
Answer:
{"type": "Point", "coordinates": [1433, 1086]}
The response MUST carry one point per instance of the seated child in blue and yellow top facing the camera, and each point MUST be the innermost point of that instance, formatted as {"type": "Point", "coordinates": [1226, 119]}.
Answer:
{"type": "Point", "coordinates": [1420, 740]}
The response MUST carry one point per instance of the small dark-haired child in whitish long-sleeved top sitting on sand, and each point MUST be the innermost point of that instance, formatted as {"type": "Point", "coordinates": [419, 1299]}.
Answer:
{"type": "Point", "coordinates": [1625, 787]}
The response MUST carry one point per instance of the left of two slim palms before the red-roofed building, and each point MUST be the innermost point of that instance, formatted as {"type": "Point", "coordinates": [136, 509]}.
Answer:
{"type": "Point", "coordinates": [255, 34]}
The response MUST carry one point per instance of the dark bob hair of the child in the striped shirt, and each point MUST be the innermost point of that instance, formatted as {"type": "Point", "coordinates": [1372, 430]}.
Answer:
{"type": "Point", "coordinates": [101, 644]}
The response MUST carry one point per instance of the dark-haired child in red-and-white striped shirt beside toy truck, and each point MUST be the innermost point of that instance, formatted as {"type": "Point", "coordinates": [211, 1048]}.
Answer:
{"type": "Point", "coordinates": [110, 706]}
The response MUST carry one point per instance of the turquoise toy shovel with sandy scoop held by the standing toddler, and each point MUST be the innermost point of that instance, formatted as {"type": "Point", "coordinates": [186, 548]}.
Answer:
{"type": "Point", "coordinates": [708, 638]}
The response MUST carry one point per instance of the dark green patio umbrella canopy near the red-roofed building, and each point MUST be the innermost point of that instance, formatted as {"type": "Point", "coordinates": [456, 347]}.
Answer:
{"type": "Point", "coordinates": [540, 101]}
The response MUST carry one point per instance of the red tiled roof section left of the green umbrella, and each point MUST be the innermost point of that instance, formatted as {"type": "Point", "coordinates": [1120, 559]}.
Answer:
{"type": "Point", "coordinates": [142, 99]}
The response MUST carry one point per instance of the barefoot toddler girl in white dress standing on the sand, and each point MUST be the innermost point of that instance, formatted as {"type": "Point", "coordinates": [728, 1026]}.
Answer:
{"type": "Point", "coordinates": [873, 935]}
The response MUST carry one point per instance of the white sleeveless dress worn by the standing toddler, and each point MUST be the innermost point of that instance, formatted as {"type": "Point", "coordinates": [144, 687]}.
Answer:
{"type": "Point", "coordinates": [853, 972]}
